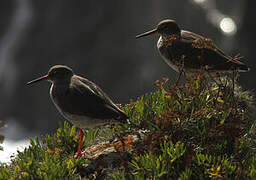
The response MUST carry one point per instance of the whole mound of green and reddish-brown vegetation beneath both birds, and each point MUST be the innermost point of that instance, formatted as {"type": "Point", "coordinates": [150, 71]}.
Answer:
{"type": "Point", "coordinates": [200, 130]}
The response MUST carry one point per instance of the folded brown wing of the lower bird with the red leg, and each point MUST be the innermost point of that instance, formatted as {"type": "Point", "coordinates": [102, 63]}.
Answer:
{"type": "Point", "coordinates": [94, 102]}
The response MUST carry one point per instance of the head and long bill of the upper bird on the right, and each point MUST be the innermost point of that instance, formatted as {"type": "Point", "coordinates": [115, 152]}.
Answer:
{"type": "Point", "coordinates": [165, 27]}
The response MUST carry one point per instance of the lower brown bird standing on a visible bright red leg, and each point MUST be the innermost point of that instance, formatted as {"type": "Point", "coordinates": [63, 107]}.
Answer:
{"type": "Point", "coordinates": [80, 101]}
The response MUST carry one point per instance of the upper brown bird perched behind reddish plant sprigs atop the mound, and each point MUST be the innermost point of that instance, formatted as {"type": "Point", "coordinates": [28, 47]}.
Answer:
{"type": "Point", "coordinates": [189, 52]}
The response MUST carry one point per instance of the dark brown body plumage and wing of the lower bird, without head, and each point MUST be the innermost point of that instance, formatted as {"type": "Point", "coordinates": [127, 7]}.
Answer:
{"type": "Point", "coordinates": [83, 97]}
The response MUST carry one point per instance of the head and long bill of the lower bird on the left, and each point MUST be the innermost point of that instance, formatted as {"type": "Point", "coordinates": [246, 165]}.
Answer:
{"type": "Point", "coordinates": [57, 73]}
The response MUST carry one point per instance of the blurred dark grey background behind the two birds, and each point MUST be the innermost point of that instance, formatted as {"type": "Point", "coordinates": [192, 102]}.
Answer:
{"type": "Point", "coordinates": [97, 39]}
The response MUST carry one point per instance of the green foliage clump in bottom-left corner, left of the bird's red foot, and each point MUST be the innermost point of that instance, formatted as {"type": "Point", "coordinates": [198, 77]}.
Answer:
{"type": "Point", "coordinates": [51, 159]}
